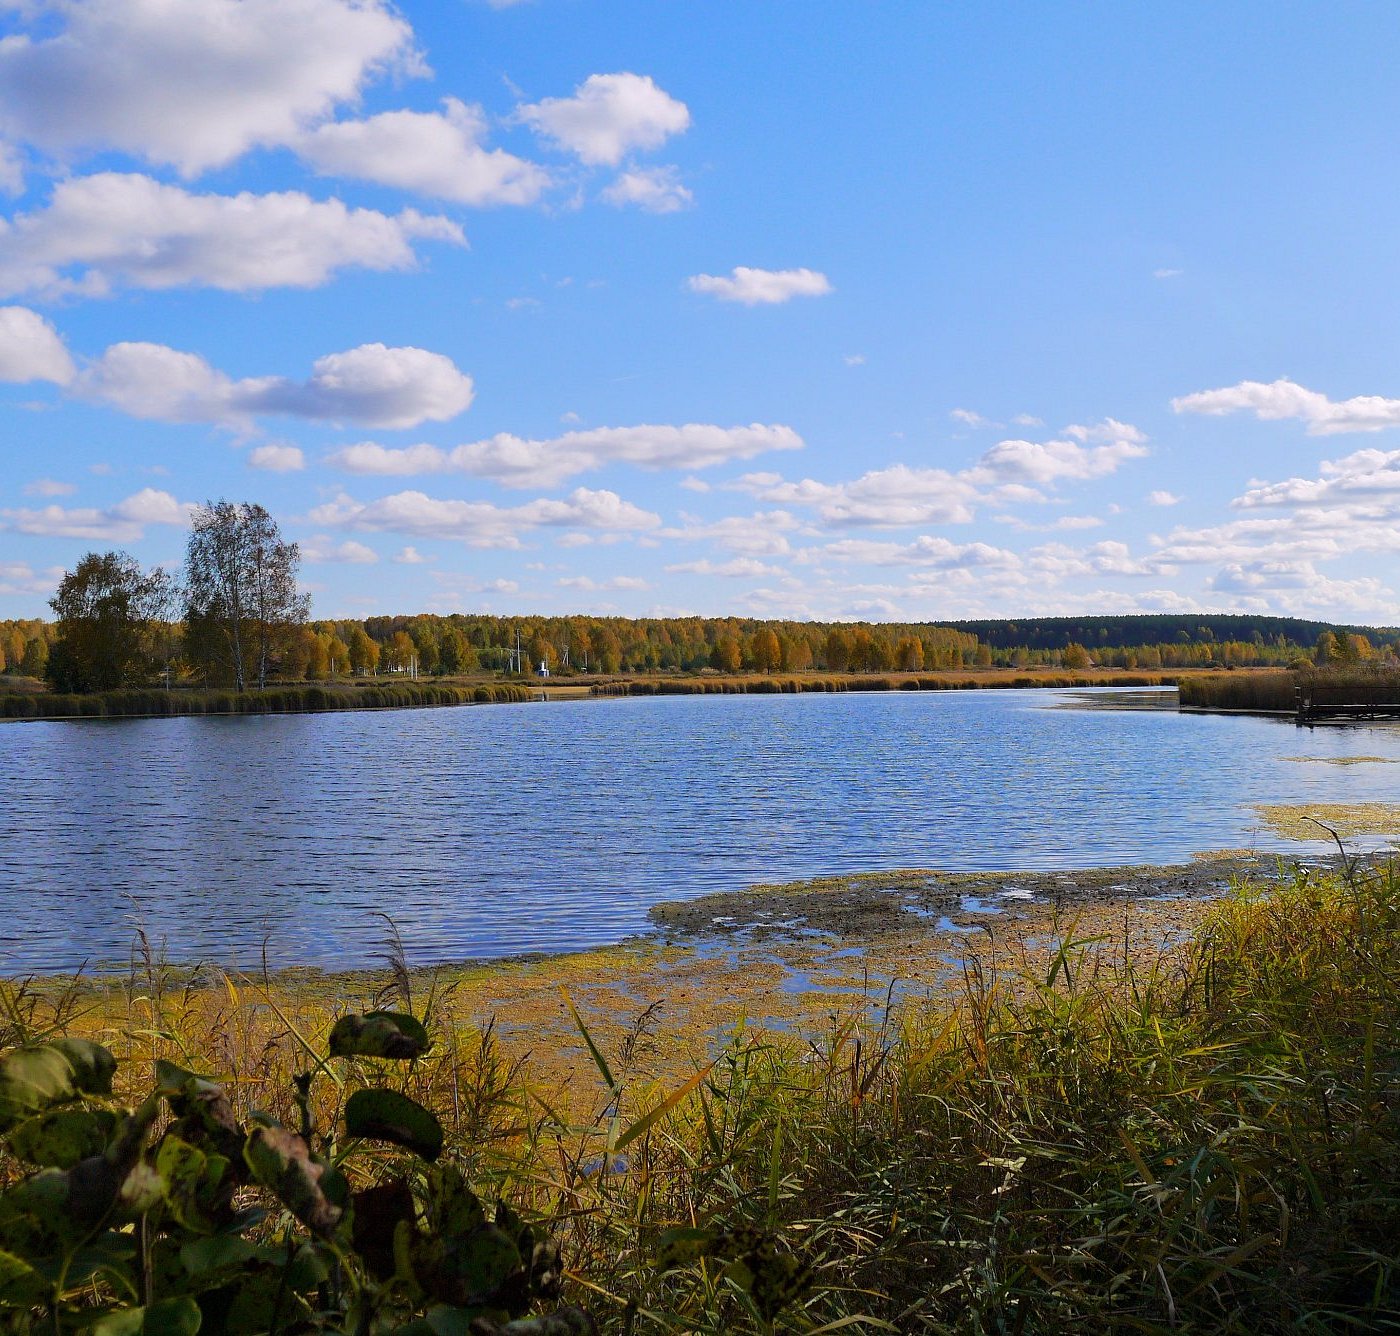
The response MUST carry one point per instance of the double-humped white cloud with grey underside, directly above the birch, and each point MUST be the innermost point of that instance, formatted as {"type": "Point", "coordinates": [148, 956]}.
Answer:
{"type": "Point", "coordinates": [373, 386]}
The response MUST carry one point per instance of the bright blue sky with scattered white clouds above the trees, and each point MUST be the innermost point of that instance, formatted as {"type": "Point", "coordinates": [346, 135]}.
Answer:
{"type": "Point", "coordinates": [832, 310]}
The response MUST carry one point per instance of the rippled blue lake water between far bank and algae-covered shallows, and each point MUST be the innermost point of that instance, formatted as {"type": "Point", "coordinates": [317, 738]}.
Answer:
{"type": "Point", "coordinates": [500, 830]}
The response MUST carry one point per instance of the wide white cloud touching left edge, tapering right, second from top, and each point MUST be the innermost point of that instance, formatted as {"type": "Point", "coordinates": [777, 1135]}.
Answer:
{"type": "Point", "coordinates": [122, 230]}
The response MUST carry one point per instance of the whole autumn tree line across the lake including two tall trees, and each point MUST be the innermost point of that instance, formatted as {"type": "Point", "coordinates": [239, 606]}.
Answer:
{"type": "Point", "coordinates": [233, 617]}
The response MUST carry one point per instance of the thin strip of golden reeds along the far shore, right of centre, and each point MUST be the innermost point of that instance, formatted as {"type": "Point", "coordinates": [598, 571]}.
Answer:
{"type": "Point", "coordinates": [754, 684]}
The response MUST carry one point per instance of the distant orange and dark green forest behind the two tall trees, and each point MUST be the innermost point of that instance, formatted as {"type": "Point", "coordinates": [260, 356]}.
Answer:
{"type": "Point", "coordinates": [430, 645]}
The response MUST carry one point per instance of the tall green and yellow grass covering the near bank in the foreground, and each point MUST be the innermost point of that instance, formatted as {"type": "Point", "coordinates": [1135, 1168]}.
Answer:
{"type": "Point", "coordinates": [1198, 1141]}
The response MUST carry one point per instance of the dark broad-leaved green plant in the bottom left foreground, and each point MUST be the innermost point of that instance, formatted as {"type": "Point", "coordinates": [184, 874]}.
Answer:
{"type": "Point", "coordinates": [125, 1227]}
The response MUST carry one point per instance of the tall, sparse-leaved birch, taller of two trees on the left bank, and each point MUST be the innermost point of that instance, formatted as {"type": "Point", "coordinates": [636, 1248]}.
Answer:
{"type": "Point", "coordinates": [241, 592]}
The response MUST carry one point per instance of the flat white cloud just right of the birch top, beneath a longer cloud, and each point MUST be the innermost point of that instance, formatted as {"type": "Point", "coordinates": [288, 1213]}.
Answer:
{"type": "Point", "coordinates": [482, 524]}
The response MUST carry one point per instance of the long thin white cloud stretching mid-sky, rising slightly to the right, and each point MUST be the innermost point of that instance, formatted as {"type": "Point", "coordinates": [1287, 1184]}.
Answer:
{"type": "Point", "coordinates": [517, 463]}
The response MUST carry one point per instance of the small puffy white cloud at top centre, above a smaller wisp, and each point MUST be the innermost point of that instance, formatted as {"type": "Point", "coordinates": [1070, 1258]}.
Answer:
{"type": "Point", "coordinates": [608, 117]}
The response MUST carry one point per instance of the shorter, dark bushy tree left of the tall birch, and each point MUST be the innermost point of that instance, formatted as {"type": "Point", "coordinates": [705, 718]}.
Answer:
{"type": "Point", "coordinates": [101, 607]}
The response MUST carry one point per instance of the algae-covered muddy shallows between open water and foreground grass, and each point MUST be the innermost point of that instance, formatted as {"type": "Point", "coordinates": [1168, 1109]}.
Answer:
{"type": "Point", "coordinates": [772, 959]}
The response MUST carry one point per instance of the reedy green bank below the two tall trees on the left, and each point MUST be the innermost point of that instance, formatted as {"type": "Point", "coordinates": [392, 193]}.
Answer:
{"type": "Point", "coordinates": [274, 701]}
